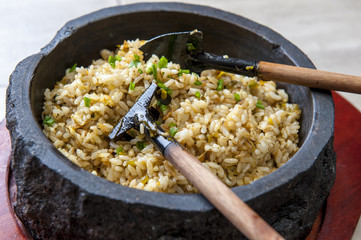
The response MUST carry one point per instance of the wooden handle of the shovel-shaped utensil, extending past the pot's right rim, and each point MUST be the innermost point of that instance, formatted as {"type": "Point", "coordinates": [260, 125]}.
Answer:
{"type": "Point", "coordinates": [309, 77]}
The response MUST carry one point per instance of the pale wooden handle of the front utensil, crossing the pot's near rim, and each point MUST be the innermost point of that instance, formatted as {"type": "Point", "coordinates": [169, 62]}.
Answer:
{"type": "Point", "coordinates": [228, 203]}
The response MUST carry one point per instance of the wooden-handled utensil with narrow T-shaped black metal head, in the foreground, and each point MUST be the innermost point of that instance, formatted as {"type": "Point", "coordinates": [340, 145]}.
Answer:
{"type": "Point", "coordinates": [223, 198]}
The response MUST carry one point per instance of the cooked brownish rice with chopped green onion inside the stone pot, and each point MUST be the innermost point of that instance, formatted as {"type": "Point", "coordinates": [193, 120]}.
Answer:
{"type": "Point", "coordinates": [239, 141]}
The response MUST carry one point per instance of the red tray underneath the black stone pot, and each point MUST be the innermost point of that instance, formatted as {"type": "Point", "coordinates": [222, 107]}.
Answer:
{"type": "Point", "coordinates": [337, 221]}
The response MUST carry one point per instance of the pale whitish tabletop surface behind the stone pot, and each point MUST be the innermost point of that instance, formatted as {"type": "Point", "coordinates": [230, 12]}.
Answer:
{"type": "Point", "coordinates": [328, 31]}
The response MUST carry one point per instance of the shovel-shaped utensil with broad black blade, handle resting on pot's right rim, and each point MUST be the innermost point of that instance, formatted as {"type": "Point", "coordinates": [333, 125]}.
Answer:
{"type": "Point", "coordinates": [186, 49]}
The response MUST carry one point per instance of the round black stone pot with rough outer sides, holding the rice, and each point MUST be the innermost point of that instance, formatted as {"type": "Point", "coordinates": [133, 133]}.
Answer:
{"type": "Point", "coordinates": [58, 200]}
